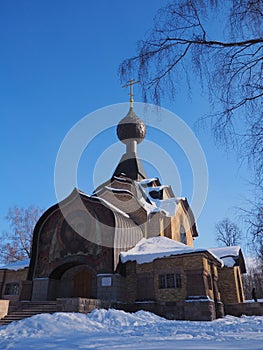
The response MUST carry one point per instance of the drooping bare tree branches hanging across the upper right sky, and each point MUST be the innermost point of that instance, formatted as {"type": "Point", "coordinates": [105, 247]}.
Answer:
{"type": "Point", "coordinates": [221, 43]}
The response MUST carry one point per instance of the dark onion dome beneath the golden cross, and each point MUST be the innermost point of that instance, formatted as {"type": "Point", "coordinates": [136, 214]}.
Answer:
{"type": "Point", "coordinates": [131, 128]}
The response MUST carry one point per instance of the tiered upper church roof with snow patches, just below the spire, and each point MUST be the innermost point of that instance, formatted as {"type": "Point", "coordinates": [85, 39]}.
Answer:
{"type": "Point", "coordinates": [147, 197]}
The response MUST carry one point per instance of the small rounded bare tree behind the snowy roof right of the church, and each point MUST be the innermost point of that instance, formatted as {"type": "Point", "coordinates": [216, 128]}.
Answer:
{"type": "Point", "coordinates": [227, 233]}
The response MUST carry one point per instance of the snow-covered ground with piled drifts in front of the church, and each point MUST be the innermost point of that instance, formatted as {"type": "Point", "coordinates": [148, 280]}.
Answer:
{"type": "Point", "coordinates": [114, 329]}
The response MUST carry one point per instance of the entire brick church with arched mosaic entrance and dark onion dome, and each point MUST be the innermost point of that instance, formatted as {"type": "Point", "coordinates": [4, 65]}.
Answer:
{"type": "Point", "coordinates": [129, 245]}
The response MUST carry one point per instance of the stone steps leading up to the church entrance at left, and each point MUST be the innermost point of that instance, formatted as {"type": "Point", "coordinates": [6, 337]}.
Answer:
{"type": "Point", "coordinates": [28, 309]}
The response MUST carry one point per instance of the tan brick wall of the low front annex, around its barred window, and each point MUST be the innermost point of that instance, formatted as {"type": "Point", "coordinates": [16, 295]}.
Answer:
{"type": "Point", "coordinates": [142, 280]}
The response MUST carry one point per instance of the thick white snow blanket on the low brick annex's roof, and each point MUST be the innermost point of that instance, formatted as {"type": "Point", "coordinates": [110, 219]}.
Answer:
{"type": "Point", "coordinates": [147, 250]}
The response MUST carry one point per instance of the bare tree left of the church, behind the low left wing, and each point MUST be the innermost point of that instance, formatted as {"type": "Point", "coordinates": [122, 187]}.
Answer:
{"type": "Point", "coordinates": [16, 244]}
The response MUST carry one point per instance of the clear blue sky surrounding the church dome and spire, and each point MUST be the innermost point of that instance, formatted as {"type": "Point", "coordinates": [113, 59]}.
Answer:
{"type": "Point", "coordinates": [59, 61]}
